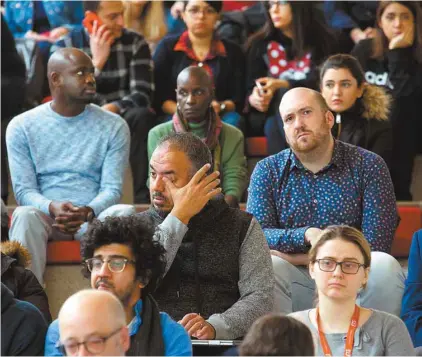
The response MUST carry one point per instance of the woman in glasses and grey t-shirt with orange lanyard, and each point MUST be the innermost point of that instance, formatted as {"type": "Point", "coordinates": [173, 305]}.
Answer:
{"type": "Point", "coordinates": [339, 263]}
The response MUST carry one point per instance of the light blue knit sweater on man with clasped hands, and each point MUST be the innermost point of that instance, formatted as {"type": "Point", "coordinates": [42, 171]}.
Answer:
{"type": "Point", "coordinates": [80, 159]}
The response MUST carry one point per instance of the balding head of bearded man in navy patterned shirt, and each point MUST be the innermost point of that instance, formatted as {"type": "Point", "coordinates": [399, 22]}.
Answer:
{"type": "Point", "coordinates": [306, 119]}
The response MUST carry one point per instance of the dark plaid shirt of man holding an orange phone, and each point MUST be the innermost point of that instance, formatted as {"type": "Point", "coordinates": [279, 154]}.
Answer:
{"type": "Point", "coordinates": [126, 79]}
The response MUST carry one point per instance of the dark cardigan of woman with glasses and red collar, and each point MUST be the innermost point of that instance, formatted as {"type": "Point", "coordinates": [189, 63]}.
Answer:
{"type": "Point", "coordinates": [228, 72]}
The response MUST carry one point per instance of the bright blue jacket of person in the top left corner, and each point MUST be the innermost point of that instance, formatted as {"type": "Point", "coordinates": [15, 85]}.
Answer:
{"type": "Point", "coordinates": [19, 15]}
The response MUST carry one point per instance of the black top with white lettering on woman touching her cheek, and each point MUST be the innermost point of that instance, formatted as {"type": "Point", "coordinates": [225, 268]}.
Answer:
{"type": "Point", "coordinates": [398, 72]}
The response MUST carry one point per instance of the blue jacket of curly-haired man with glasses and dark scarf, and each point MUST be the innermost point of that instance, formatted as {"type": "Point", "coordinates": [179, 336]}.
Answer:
{"type": "Point", "coordinates": [176, 340]}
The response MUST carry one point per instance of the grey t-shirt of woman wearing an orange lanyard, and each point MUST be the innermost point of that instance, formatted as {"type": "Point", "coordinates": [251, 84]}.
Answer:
{"type": "Point", "coordinates": [382, 335]}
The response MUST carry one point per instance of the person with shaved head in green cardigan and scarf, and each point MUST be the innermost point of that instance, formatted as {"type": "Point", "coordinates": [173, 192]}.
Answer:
{"type": "Point", "coordinates": [195, 114]}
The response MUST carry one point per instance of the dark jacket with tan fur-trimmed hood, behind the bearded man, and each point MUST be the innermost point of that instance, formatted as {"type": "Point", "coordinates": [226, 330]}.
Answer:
{"type": "Point", "coordinates": [366, 124]}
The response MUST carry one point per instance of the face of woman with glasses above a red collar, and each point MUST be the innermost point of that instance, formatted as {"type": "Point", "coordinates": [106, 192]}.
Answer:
{"type": "Point", "coordinates": [200, 18]}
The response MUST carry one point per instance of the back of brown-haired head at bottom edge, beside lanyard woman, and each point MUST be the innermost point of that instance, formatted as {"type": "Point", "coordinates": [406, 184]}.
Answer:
{"type": "Point", "coordinates": [277, 335]}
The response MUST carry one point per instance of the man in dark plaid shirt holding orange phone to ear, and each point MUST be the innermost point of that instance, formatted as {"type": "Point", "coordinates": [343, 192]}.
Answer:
{"type": "Point", "coordinates": [123, 72]}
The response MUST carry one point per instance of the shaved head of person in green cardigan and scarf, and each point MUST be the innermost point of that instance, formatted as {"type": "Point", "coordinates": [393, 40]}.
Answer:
{"type": "Point", "coordinates": [194, 93]}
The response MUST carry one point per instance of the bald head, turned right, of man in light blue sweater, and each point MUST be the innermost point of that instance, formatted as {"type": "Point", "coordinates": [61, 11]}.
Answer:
{"type": "Point", "coordinates": [71, 76]}
